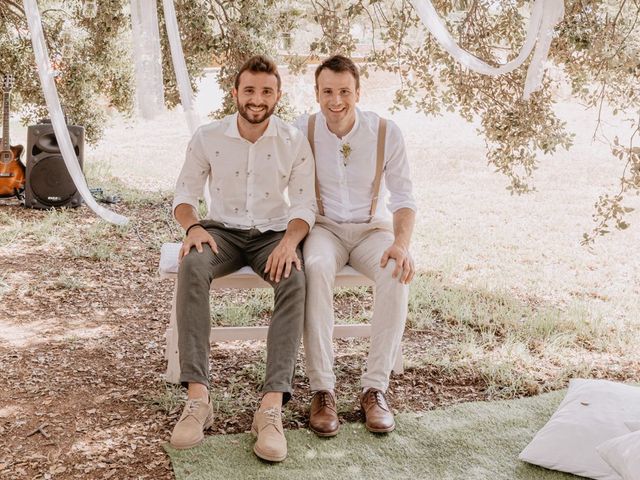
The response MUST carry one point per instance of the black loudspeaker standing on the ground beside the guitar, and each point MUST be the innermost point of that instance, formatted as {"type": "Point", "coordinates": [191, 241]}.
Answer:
{"type": "Point", "coordinates": [48, 183]}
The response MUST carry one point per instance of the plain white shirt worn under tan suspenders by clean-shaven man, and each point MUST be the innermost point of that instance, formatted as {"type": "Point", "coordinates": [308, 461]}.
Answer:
{"type": "Point", "coordinates": [346, 186]}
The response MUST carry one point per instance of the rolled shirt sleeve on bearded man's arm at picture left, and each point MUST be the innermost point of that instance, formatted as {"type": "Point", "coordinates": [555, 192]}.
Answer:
{"type": "Point", "coordinates": [194, 174]}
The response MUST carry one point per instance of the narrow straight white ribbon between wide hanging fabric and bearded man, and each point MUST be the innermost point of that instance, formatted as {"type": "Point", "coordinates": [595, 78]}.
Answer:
{"type": "Point", "coordinates": [180, 67]}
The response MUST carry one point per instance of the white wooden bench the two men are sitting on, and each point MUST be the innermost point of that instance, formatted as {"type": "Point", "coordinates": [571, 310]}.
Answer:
{"type": "Point", "coordinates": [242, 279]}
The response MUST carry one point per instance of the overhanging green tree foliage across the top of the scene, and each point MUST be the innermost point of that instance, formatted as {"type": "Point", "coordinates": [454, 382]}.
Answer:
{"type": "Point", "coordinates": [596, 48]}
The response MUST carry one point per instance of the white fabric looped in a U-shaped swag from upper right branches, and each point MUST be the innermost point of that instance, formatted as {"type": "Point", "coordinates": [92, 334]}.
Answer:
{"type": "Point", "coordinates": [545, 15]}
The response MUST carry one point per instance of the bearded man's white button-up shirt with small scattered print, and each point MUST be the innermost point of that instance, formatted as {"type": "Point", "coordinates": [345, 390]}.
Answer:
{"type": "Point", "coordinates": [261, 185]}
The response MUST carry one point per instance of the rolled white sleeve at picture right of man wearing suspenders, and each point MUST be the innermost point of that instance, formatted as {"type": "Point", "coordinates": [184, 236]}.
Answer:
{"type": "Point", "coordinates": [397, 175]}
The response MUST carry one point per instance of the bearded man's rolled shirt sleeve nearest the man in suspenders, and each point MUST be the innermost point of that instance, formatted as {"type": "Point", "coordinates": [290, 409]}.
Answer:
{"type": "Point", "coordinates": [301, 187]}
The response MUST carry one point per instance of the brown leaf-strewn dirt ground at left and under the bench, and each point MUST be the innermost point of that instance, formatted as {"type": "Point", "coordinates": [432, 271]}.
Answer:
{"type": "Point", "coordinates": [82, 393]}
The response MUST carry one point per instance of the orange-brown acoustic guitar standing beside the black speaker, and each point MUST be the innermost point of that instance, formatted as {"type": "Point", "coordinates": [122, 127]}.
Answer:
{"type": "Point", "coordinates": [12, 170]}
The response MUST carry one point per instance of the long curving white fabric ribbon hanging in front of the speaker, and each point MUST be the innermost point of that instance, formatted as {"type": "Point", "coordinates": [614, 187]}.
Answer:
{"type": "Point", "coordinates": [45, 71]}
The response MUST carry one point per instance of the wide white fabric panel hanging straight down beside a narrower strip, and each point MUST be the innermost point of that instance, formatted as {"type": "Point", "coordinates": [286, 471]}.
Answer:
{"type": "Point", "coordinates": [147, 58]}
